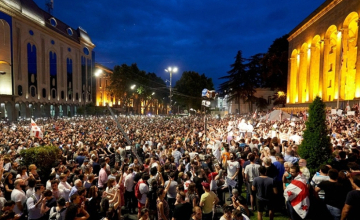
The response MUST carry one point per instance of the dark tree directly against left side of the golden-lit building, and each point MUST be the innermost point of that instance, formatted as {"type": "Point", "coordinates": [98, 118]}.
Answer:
{"type": "Point", "coordinates": [275, 65]}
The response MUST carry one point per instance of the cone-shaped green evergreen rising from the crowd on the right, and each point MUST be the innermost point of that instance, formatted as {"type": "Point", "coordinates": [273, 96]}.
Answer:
{"type": "Point", "coordinates": [316, 146]}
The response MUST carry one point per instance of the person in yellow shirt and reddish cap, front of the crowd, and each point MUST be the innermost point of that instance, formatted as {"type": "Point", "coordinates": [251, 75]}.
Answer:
{"type": "Point", "coordinates": [207, 200]}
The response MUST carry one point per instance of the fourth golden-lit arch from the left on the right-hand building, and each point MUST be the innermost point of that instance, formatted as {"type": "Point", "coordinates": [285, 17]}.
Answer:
{"type": "Point", "coordinates": [329, 70]}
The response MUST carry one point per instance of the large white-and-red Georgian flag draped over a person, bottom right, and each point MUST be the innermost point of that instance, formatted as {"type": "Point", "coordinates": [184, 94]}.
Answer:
{"type": "Point", "coordinates": [298, 195]}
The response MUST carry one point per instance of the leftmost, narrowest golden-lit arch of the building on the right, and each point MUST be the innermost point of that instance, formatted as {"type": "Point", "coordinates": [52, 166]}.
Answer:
{"type": "Point", "coordinates": [294, 76]}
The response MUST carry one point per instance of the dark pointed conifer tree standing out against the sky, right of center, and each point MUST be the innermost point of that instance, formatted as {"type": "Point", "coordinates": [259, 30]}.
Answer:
{"type": "Point", "coordinates": [240, 84]}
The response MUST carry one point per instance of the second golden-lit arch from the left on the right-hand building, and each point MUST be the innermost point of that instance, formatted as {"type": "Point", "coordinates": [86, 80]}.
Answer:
{"type": "Point", "coordinates": [303, 74]}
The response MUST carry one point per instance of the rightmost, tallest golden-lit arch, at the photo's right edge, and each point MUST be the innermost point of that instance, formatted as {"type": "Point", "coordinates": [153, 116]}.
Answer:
{"type": "Point", "coordinates": [350, 47]}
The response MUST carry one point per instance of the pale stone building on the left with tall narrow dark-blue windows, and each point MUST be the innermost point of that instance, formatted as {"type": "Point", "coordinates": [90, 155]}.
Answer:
{"type": "Point", "coordinates": [46, 66]}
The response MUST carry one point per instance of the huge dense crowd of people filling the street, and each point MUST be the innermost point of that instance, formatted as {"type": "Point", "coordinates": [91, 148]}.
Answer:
{"type": "Point", "coordinates": [174, 170]}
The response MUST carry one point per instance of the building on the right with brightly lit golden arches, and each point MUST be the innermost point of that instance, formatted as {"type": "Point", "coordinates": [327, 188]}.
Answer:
{"type": "Point", "coordinates": [324, 58]}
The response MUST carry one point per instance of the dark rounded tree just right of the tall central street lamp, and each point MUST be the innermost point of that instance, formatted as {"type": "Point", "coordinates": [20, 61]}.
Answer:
{"type": "Point", "coordinates": [188, 89]}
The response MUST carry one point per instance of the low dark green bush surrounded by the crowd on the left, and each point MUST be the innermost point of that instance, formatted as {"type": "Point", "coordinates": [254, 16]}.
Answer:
{"type": "Point", "coordinates": [44, 158]}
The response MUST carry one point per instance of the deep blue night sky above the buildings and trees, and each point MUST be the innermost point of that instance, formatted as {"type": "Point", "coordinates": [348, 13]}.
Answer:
{"type": "Point", "coordinates": [197, 35]}
